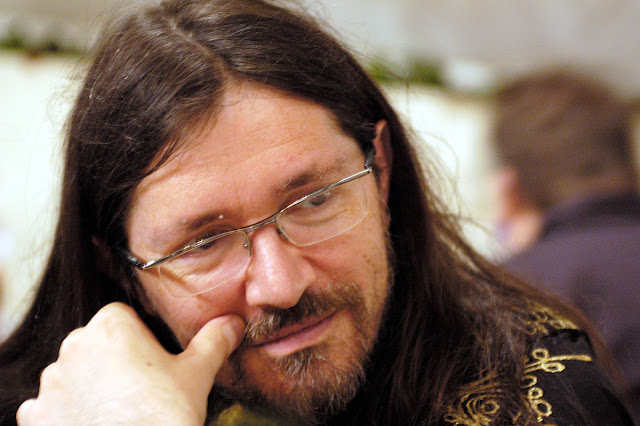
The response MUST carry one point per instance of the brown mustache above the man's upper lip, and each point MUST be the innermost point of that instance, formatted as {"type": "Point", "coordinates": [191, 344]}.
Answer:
{"type": "Point", "coordinates": [310, 305]}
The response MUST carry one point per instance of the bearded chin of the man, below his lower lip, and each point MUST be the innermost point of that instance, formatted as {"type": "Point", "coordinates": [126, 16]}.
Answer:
{"type": "Point", "coordinates": [308, 385]}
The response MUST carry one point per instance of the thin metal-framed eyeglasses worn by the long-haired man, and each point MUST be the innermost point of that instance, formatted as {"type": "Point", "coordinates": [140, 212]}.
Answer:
{"type": "Point", "coordinates": [215, 260]}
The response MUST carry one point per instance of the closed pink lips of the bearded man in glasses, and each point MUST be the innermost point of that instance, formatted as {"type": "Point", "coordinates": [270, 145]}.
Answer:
{"type": "Point", "coordinates": [296, 337]}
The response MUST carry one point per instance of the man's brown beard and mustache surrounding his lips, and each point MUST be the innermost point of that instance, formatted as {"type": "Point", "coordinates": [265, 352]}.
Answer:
{"type": "Point", "coordinates": [314, 382]}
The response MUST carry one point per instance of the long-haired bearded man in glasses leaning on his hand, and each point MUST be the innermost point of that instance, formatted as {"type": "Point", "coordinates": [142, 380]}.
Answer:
{"type": "Point", "coordinates": [246, 236]}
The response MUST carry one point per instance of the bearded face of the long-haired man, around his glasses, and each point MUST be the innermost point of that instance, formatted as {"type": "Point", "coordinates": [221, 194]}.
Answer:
{"type": "Point", "coordinates": [313, 312]}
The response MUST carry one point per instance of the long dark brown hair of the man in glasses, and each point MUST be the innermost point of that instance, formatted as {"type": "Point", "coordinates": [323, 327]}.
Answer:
{"type": "Point", "coordinates": [151, 80]}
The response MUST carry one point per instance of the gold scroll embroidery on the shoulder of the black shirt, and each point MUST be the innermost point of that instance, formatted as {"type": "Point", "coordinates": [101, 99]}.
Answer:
{"type": "Point", "coordinates": [478, 402]}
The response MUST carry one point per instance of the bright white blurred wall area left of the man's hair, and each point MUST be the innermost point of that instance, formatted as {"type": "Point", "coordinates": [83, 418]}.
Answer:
{"type": "Point", "coordinates": [35, 98]}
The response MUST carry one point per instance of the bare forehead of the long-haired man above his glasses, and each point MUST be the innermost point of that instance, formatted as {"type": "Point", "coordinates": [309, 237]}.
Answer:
{"type": "Point", "coordinates": [260, 139]}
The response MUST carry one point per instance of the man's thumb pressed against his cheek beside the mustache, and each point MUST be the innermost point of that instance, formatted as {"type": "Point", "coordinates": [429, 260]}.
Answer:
{"type": "Point", "coordinates": [211, 346]}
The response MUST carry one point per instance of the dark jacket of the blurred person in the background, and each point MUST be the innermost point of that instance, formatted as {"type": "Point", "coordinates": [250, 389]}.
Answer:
{"type": "Point", "coordinates": [589, 254]}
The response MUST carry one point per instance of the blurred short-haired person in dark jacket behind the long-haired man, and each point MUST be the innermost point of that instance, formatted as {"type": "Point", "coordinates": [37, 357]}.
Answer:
{"type": "Point", "coordinates": [570, 204]}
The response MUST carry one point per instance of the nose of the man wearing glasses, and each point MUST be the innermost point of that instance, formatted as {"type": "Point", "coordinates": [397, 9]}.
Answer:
{"type": "Point", "coordinates": [278, 275]}
